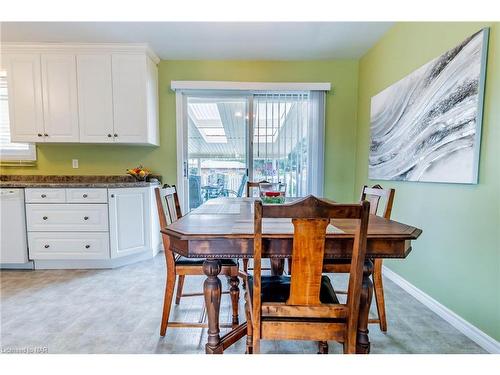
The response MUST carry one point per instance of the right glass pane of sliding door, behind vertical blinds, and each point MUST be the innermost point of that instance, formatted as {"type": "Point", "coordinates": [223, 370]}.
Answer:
{"type": "Point", "coordinates": [280, 148]}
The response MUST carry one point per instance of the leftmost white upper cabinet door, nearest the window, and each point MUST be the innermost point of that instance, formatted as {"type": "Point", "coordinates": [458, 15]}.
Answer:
{"type": "Point", "coordinates": [24, 85]}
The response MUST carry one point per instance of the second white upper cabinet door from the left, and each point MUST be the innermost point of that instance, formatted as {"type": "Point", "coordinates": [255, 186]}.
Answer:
{"type": "Point", "coordinates": [59, 90]}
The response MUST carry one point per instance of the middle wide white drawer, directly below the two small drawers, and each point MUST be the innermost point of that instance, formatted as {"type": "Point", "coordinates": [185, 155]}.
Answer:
{"type": "Point", "coordinates": [67, 217]}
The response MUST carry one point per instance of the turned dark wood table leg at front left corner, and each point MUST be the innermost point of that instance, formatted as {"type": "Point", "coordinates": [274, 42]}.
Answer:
{"type": "Point", "coordinates": [212, 292]}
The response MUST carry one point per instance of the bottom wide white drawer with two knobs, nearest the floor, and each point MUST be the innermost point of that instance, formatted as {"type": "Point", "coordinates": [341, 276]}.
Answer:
{"type": "Point", "coordinates": [68, 245]}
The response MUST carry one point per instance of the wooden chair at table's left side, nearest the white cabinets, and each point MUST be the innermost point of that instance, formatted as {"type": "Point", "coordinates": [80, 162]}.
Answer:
{"type": "Point", "coordinates": [169, 210]}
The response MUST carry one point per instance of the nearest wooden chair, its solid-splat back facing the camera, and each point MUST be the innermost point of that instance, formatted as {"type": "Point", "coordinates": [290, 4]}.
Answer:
{"type": "Point", "coordinates": [304, 306]}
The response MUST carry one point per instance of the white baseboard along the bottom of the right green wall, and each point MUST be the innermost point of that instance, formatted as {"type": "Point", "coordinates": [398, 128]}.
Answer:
{"type": "Point", "coordinates": [488, 343]}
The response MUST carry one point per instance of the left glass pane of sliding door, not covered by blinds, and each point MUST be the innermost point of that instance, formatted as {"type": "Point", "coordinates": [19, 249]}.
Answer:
{"type": "Point", "coordinates": [217, 156]}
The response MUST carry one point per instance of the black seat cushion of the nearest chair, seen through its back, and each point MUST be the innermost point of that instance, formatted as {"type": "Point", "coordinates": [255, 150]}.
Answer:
{"type": "Point", "coordinates": [277, 289]}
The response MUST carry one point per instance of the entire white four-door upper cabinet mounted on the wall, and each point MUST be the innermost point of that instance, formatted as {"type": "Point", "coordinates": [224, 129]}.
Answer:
{"type": "Point", "coordinates": [85, 93]}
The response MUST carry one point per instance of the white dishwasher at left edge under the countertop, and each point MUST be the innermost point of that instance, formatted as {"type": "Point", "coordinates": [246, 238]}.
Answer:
{"type": "Point", "coordinates": [13, 243]}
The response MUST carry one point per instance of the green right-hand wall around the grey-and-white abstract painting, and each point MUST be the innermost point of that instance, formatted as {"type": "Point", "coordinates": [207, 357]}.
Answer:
{"type": "Point", "coordinates": [457, 258]}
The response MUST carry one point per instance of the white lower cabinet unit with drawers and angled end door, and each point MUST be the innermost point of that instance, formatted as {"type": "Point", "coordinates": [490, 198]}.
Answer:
{"type": "Point", "coordinates": [71, 230]}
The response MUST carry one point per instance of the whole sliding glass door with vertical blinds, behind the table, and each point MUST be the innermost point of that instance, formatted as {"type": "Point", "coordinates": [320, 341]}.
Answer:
{"type": "Point", "coordinates": [228, 139]}
